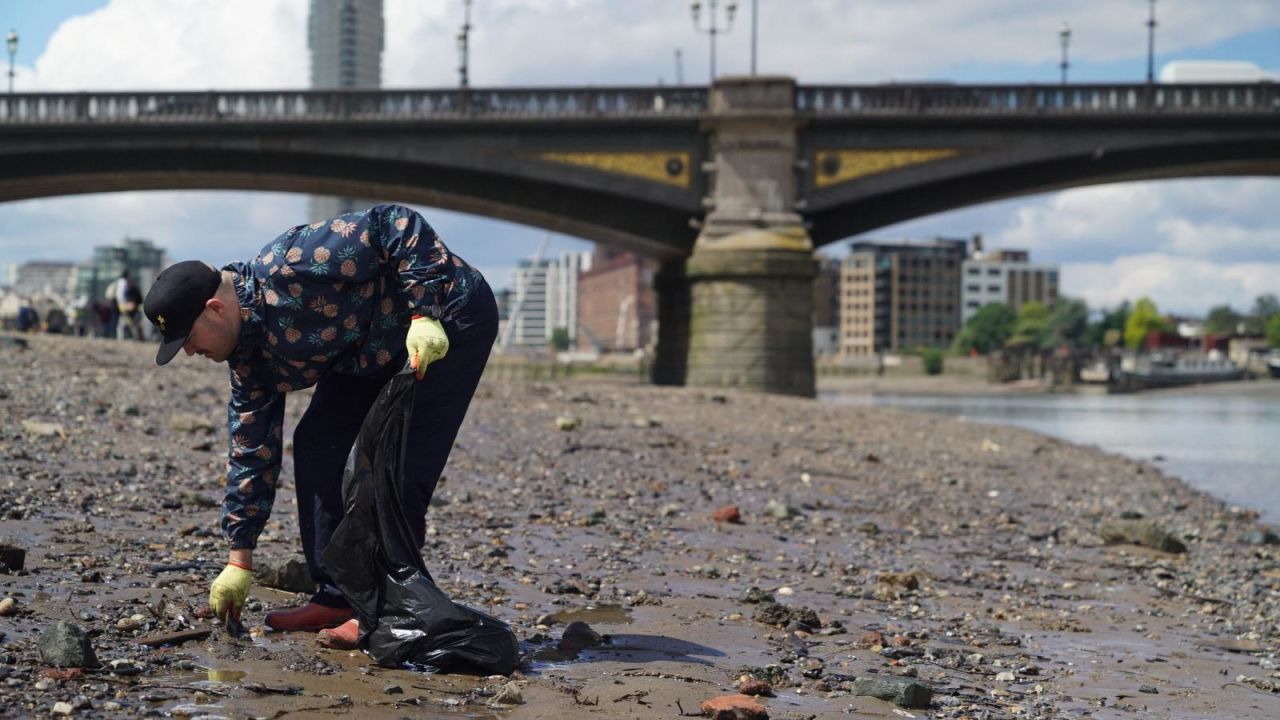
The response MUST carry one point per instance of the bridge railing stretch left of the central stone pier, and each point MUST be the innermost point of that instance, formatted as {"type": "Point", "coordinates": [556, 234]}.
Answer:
{"type": "Point", "coordinates": [387, 106]}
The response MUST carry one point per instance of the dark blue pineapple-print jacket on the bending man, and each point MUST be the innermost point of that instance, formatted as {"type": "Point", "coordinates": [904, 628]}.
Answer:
{"type": "Point", "coordinates": [328, 298]}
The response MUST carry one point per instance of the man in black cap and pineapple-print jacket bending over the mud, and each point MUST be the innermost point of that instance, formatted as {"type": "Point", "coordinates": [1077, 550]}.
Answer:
{"type": "Point", "coordinates": [340, 306]}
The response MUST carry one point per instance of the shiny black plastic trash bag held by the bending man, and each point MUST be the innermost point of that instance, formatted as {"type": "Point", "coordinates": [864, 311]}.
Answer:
{"type": "Point", "coordinates": [404, 617]}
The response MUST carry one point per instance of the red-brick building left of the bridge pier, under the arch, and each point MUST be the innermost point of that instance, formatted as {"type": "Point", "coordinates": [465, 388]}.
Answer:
{"type": "Point", "coordinates": [616, 303]}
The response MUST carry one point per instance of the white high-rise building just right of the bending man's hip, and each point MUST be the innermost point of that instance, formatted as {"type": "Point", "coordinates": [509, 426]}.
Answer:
{"type": "Point", "coordinates": [546, 300]}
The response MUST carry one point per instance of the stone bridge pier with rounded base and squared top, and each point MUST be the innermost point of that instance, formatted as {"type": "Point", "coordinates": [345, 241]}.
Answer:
{"type": "Point", "coordinates": [751, 276]}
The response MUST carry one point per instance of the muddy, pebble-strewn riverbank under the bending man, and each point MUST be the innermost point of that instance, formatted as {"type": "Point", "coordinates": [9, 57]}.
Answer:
{"type": "Point", "coordinates": [897, 545]}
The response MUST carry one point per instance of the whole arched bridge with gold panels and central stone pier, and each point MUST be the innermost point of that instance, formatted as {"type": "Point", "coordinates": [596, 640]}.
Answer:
{"type": "Point", "coordinates": [732, 188]}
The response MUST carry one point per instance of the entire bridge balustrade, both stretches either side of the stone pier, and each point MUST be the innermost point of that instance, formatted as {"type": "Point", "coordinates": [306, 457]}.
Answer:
{"type": "Point", "coordinates": [624, 103]}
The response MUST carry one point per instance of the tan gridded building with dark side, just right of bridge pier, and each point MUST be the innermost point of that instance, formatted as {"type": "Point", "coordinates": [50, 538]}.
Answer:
{"type": "Point", "coordinates": [902, 297]}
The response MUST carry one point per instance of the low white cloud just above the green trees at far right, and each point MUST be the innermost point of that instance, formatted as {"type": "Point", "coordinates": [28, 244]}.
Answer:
{"type": "Point", "coordinates": [1177, 285]}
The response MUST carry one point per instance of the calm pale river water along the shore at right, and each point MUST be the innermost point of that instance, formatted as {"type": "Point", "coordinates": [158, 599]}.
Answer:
{"type": "Point", "coordinates": [1227, 445]}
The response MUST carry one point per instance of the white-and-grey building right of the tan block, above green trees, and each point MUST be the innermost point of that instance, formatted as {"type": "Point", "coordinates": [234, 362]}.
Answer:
{"type": "Point", "coordinates": [1005, 276]}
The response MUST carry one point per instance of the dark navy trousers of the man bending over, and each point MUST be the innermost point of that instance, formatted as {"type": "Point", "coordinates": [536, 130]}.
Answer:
{"type": "Point", "coordinates": [330, 427]}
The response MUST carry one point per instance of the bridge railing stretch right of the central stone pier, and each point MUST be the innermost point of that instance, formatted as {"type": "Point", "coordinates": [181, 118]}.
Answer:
{"type": "Point", "coordinates": [1037, 99]}
